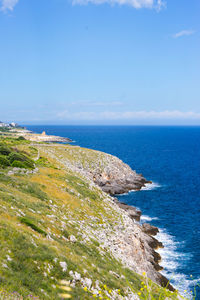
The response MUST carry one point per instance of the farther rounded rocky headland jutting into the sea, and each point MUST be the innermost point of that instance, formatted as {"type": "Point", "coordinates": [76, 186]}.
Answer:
{"type": "Point", "coordinates": [105, 170]}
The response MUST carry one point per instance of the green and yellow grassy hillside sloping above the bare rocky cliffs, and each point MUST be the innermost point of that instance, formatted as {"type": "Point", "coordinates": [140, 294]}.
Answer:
{"type": "Point", "coordinates": [48, 215]}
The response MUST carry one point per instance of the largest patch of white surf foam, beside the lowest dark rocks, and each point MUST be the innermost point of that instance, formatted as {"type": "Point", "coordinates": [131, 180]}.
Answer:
{"type": "Point", "coordinates": [171, 261]}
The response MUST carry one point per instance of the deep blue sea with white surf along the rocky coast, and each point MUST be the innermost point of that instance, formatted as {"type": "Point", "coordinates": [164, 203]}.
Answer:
{"type": "Point", "coordinates": [170, 157]}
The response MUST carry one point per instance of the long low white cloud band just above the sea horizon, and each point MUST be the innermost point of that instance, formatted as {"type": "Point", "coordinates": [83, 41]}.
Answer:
{"type": "Point", "coordinates": [129, 115]}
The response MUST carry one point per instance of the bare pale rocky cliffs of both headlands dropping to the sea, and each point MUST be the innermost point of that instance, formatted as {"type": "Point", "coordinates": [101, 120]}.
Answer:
{"type": "Point", "coordinates": [132, 243]}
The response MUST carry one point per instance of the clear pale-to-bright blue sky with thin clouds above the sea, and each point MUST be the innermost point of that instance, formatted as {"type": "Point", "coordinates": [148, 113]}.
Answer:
{"type": "Point", "coordinates": [100, 61]}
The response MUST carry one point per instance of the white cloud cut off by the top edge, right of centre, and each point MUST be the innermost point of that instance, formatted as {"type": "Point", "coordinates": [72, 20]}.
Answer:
{"type": "Point", "coordinates": [157, 4]}
